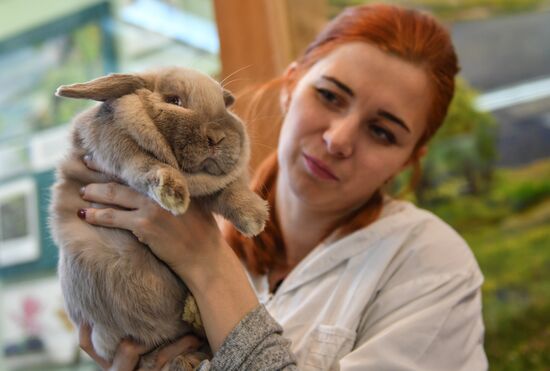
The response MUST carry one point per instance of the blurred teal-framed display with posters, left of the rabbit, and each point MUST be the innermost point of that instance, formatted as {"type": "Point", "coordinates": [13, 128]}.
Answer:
{"type": "Point", "coordinates": [54, 43]}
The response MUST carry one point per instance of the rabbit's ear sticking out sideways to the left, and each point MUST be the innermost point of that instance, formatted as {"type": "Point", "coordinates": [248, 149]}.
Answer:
{"type": "Point", "coordinates": [107, 87]}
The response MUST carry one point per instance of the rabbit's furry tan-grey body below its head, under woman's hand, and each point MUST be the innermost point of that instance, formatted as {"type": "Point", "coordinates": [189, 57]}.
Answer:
{"type": "Point", "coordinates": [108, 278]}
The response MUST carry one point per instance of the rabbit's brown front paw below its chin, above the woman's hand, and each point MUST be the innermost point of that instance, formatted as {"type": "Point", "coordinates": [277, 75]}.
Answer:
{"type": "Point", "coordinates": [170, 192]}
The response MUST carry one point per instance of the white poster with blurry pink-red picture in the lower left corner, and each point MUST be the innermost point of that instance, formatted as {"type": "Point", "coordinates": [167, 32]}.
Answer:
{"type": "Point", "coordinates": [35, 328]}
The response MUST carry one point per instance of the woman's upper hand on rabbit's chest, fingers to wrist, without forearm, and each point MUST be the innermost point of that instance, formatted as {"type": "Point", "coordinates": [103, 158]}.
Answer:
{"type": "Point", "coordinates": [184, 242]}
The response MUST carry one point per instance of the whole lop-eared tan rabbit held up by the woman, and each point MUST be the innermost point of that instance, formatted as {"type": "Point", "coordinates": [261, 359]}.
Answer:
{"type": "Point", "coordinates": [168, 134]}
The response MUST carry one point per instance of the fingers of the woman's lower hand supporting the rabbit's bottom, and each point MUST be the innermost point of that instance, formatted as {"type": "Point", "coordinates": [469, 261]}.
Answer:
{"type": "Point", "coordinates": [128, 353]}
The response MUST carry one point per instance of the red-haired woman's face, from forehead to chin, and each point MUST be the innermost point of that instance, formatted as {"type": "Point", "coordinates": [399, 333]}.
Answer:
{"type": "Point", "coordinates": [352, 123]}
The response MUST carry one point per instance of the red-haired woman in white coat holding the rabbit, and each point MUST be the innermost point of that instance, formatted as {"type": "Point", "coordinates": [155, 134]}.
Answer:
{"type": "Point", "coordinates": [358, 281]}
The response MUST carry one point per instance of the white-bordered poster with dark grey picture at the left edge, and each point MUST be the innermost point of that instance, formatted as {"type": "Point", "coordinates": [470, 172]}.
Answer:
{"type": "Point", "coordinates": [19, 236]}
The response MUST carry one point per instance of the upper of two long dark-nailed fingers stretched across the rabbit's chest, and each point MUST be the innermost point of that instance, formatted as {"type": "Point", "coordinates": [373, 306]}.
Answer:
{"type": "Point", "coordinates": [112, 194]}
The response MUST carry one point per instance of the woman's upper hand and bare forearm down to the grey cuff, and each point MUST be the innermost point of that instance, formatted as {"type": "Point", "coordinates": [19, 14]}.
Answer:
{"type": "Point", "coordinates": [191, 244]}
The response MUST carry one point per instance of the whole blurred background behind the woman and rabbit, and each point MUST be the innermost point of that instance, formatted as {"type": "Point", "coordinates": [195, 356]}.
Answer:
{"type": "Point", "coordinates": [487, 172]}
